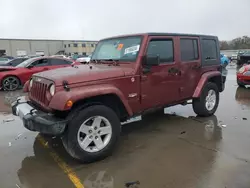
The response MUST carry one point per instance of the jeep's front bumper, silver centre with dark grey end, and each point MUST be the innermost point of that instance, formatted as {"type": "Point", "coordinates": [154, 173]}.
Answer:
{"type": "Point", "coordinates": [36, 120]}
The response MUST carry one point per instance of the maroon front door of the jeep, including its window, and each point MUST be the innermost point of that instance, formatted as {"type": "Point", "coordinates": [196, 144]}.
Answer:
{"type": "Point", "coordinates": [159, 86]}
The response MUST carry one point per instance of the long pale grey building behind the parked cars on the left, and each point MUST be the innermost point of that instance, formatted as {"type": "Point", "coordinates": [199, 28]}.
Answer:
{"type": "Point", "coordinates": [23, 47]}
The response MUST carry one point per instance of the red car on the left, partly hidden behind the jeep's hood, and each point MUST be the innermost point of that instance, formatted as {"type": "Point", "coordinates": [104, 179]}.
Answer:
{"type": "Point", "coordinates": [11, 78]}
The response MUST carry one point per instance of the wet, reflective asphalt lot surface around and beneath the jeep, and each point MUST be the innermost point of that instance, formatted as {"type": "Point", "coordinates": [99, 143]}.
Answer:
{"type": "Point", "coordinates": [175, 150]}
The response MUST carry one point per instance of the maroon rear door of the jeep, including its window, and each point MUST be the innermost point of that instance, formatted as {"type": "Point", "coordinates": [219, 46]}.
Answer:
{"type": "Point", "coordinates": [190, 65]}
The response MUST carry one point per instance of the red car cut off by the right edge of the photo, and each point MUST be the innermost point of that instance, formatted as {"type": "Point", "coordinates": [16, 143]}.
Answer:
{"type": "Point", "coordinates": [243, 76]}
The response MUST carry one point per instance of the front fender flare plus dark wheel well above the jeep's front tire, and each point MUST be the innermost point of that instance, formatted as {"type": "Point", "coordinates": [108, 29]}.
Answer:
{"type": "Point", "coordinates": [107, 95]}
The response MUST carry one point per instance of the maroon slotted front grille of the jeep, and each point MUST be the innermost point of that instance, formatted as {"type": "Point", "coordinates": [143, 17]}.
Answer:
{"type": "Point", "coordinates": [38, 93]}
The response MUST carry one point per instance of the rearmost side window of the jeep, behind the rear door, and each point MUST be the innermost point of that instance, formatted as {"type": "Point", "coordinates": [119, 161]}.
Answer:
{"type": "Point", "coordinates": [209, 49]}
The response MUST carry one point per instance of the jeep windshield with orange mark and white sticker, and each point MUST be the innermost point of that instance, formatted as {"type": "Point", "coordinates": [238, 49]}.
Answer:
{"type": "Point", "coordinates": [122, 49]}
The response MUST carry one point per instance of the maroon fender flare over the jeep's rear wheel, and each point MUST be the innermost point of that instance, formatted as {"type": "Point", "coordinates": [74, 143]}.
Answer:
{"type": "Point", "coordinates": [203, 80]}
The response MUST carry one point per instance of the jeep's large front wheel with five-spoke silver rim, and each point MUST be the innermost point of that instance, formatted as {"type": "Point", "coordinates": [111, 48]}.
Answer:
{"type": "Point", "coordinates": [92, 133]}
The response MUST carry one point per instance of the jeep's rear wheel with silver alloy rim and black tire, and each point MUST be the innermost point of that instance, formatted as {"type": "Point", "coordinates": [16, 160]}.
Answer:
{"type": "Point", "coordinates": [208, 102]}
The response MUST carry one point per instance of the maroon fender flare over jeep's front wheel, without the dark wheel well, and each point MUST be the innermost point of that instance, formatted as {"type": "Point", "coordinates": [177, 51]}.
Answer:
{"type": "Point", "coordinates": [61, 97]}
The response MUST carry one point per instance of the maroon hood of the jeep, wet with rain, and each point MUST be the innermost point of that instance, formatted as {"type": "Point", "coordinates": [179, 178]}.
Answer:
{"type": "Point", "coordinates": [84, 73]}
